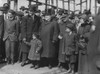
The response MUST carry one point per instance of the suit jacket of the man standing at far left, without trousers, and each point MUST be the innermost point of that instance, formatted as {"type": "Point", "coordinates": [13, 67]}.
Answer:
{"type": "Point", "coordinates": [11, 30]}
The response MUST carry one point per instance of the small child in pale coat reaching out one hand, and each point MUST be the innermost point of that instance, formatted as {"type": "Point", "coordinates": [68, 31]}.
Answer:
{"type": "Point", "coordinates": [34, 53]}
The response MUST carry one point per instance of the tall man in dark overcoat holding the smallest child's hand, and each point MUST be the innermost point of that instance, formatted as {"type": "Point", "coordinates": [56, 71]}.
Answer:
{"type": "Point", "coordinates": [30, 24]}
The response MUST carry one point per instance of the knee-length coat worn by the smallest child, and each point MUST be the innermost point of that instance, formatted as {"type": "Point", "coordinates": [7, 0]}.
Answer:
{"type": "Point", "coordinates": [35, 46]}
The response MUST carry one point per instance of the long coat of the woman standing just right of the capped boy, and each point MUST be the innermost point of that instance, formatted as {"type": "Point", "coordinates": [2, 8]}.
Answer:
{"type": "Point", "coordinates": [83, 57]}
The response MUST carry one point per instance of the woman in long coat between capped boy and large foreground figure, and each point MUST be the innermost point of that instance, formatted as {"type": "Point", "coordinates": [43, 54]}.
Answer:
{"type": "Point", "coordinates": [82, 47]}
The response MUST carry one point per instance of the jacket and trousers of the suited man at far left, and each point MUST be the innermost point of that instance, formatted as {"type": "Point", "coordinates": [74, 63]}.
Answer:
{"type": "Point", "coordinates": [11, 32]}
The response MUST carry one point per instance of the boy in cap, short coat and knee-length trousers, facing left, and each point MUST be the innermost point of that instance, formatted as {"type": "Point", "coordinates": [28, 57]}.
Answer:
{"type": "Point", "coordinates": [69, 47]}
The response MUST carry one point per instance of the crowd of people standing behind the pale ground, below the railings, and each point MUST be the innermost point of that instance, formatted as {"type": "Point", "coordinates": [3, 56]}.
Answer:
{"type": "Point", "coordinates": [59, 39]}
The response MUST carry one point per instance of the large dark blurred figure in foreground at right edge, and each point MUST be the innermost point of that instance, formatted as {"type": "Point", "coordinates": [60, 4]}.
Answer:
{"type": "Point", "coordinates": [93, 49]}
